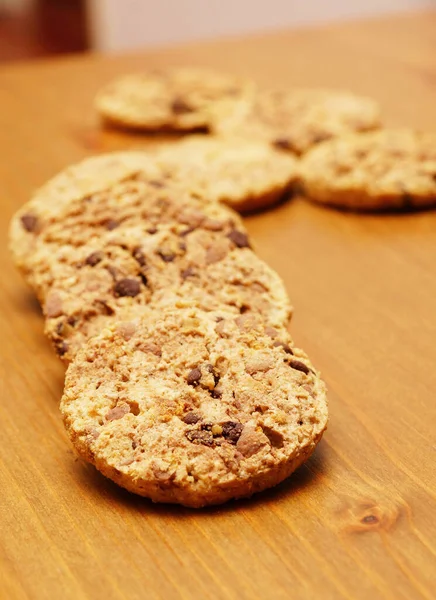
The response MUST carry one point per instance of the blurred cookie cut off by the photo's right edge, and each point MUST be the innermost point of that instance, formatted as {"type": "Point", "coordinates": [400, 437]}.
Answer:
{"type": "Point", "coordinates": [388, 169]}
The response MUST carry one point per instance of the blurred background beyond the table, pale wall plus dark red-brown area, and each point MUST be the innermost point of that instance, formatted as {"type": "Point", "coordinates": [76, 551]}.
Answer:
{"type": "Point", "coordinates": [38, 28]}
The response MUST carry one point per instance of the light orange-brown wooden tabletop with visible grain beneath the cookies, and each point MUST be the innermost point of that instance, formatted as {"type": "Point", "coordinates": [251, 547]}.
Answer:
{"type": "Point", "coordinates": [359, 520]}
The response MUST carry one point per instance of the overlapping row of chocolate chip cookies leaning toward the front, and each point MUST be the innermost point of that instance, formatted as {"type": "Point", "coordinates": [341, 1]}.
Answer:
{"type": "Point", "coordinates": [183, 384]}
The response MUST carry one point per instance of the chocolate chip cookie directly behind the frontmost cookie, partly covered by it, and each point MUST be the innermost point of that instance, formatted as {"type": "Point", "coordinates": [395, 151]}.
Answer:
{"type": "Point", "coordinates": [208, 264]}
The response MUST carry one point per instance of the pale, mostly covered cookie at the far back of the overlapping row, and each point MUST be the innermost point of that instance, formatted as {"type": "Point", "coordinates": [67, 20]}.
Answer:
{"type": "Point", "coordinates": [52, 202]}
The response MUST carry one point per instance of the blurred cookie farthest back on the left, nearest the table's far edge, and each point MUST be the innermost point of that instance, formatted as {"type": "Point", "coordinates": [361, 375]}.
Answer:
{"type": "Point", "coordinates": [178, 99]}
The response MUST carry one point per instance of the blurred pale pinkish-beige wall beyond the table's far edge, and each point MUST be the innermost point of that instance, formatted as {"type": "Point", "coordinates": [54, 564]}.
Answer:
{"type": "Point", "coordinates": [128, 24]}
